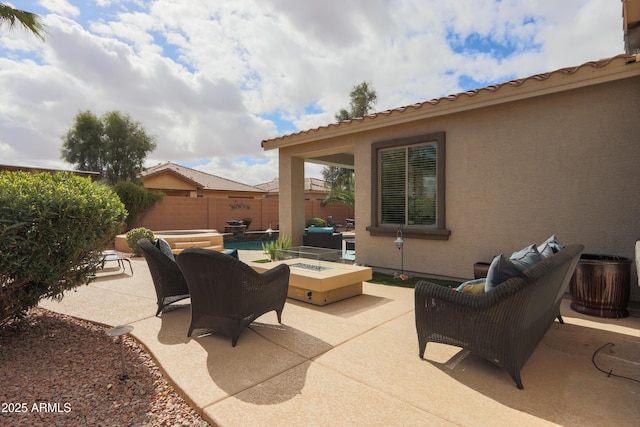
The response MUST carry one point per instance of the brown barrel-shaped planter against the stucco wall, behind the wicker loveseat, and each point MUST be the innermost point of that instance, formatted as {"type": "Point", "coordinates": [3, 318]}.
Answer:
{"type": "Point", "coordinates": [601, 285]}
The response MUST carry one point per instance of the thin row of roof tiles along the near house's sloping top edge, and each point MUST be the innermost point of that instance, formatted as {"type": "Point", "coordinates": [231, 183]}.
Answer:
{"type": "Point", "coordinates": [455, 97]}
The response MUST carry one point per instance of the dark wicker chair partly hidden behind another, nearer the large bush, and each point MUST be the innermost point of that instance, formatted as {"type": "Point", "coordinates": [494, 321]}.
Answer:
{"type": "Point", "coordinates": [167, 278]}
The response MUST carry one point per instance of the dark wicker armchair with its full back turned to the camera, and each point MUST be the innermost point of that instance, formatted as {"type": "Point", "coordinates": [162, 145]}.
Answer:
{"type": "Point", "coordinates": [226, 294]}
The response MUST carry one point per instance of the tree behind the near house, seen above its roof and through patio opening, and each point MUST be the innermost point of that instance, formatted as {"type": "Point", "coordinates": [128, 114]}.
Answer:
{"type": "Point", "coordinates": [340, 180]}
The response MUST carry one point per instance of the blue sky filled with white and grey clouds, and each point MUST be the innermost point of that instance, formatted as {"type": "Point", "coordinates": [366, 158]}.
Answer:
{"type": "Point", "coordinates": [211, 79]}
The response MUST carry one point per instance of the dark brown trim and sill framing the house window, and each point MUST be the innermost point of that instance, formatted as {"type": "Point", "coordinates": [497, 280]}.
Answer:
{"type": "Point", "coordinates": [439, 231]}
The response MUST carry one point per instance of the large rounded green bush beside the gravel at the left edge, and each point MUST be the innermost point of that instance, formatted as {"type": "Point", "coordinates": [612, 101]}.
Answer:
{"type": "Point", "coordinates": [53, 228]}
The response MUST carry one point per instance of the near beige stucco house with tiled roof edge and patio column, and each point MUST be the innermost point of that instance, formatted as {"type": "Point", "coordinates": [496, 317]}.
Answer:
{"type": "Point", "coordinates": [555, 153]}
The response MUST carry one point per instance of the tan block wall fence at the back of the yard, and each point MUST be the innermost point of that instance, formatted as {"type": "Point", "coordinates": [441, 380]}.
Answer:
{"type": "Point", "coordinates": [185, 213]}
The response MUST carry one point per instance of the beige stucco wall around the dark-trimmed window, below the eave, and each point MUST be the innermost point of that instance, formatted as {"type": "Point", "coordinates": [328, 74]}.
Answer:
{"type": "Point", "coordinates": [565, 164]}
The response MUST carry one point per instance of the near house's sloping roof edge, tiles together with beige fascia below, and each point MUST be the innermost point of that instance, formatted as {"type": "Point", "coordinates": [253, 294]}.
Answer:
{"type": "Point", "coordinates": [539, 84]}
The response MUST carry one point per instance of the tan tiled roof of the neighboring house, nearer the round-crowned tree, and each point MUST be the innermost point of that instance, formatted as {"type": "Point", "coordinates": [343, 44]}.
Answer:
{"type": "Point", "coordinates": [201, 180]}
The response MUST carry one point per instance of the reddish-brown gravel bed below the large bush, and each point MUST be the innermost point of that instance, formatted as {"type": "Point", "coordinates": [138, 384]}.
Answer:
{"type": "Point", "coordinates": [59, 371]}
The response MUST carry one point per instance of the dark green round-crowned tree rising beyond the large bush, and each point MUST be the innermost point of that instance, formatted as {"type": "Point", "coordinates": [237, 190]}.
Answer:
{"type": "Point", "coordinates": [114, 145]}
